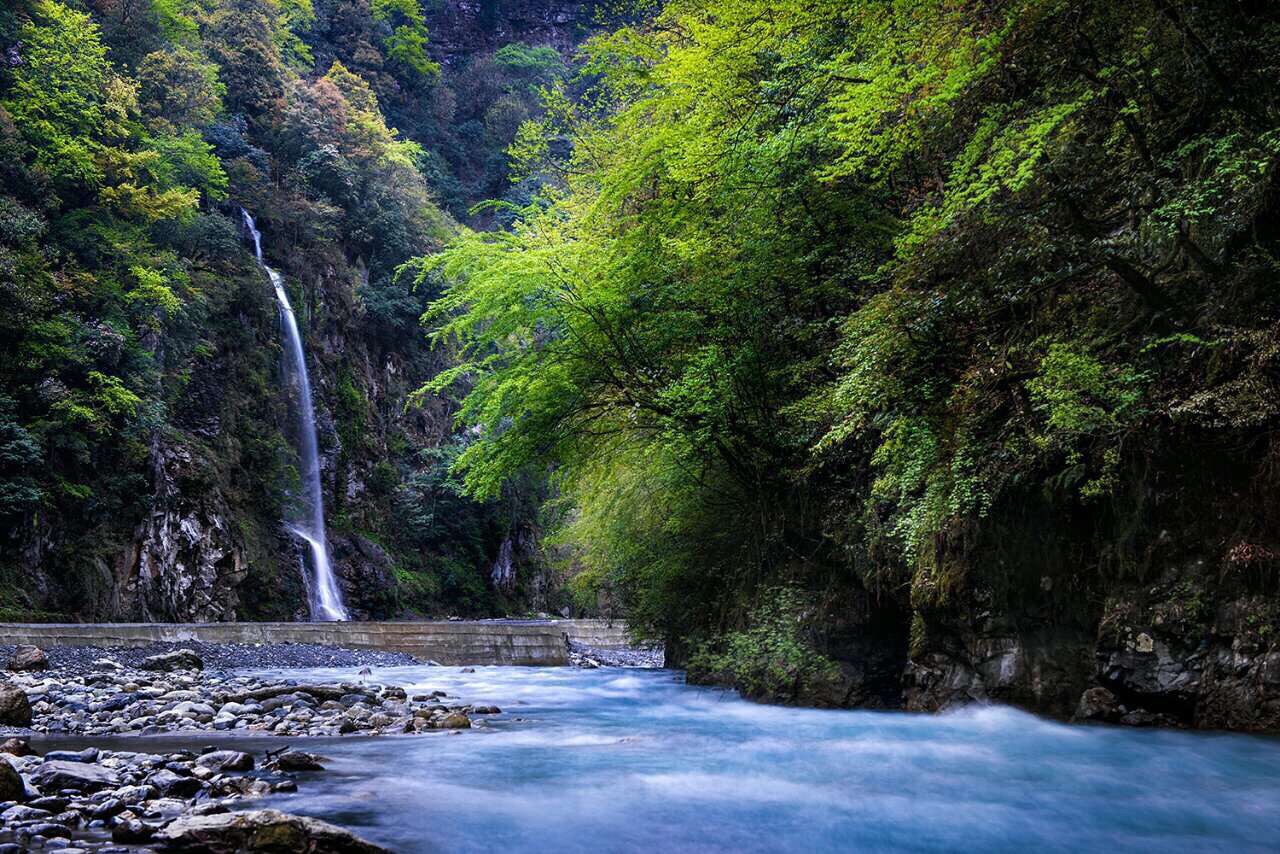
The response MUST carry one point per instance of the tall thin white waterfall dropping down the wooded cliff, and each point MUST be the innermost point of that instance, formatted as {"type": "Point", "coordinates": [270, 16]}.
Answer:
{"type": "Point", "coordinates": [324, 599]}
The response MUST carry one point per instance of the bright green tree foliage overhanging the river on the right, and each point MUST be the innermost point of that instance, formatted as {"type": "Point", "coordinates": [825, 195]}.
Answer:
{"type": "Point", "coordinates": [839, 291]}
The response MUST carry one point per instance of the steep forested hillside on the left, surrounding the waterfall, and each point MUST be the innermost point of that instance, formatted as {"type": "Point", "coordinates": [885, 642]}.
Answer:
{"type": "Point", "coordinates": [147, 459]}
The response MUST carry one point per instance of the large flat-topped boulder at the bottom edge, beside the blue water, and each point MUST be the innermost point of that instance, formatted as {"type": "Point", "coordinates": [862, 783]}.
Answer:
{"type": "Point", "coordinates": [260, 830]}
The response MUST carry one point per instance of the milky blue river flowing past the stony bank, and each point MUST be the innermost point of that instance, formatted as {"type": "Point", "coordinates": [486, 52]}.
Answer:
{"type": "Point", "coordinates": [637, 761]}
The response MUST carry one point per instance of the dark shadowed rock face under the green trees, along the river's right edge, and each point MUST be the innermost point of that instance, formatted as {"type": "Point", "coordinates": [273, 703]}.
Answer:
{"type": "Point", "coordinates": [1183, 637]}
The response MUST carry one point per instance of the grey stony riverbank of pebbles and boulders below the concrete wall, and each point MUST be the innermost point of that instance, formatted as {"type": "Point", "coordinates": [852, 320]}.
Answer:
{"type": "Point", "coordinates": [100, 800]}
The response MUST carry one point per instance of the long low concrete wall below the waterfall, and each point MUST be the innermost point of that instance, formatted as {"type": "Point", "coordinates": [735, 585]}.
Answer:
{"type": "Point", "coordinates": [447, 643]}
